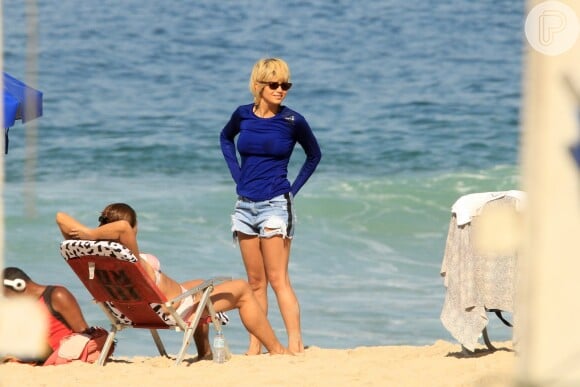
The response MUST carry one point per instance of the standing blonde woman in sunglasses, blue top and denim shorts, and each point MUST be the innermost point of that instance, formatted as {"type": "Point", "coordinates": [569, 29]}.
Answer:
{"type": "Point", "coordinates": [263, 220]}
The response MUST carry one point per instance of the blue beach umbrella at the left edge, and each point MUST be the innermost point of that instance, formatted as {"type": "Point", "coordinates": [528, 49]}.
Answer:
{"type": "Point", "coordinates": [21, 102]}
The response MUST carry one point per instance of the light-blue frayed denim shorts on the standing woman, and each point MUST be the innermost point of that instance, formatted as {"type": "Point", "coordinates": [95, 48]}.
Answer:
{"type": "Point", "coordinates": [265, 218]}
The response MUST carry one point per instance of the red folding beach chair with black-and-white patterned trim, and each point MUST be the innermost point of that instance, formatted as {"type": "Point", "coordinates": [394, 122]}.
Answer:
{"type": "Point", "coordinates": [129, 298]}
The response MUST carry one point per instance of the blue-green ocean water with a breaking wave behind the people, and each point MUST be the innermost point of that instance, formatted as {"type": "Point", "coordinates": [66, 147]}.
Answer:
{"type": "Point", "coordinates": [414, 103]}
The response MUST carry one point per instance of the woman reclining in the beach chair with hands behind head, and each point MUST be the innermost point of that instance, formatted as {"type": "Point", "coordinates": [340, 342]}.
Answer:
{"type": "Point", "coordinates": [118, 222]}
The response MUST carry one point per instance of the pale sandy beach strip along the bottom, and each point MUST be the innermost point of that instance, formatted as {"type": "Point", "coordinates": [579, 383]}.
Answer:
{"type": "Point", "coordinates": [440, 364]}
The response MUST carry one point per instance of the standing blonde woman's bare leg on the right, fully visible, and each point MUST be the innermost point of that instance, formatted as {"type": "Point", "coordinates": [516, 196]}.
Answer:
{"type": "Point", "coordinates": [276, 252]}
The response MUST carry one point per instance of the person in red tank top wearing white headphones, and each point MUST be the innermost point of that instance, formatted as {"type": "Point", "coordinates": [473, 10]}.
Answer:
{"type": "Point", "coordinates": [69, 336]}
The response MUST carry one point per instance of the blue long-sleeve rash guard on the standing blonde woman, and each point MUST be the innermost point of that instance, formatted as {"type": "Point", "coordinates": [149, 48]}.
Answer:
{"type": "Point", "coordinates": [265, 146]}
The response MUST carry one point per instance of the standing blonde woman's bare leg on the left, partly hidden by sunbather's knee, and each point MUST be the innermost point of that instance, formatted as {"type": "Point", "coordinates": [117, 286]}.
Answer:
{"type": "Point", "coordinates": [254, 264]}
